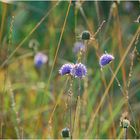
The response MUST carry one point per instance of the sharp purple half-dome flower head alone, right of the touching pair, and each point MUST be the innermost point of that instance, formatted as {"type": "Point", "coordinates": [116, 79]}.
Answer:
{"type": "Point", "coordinates": [105, 59]}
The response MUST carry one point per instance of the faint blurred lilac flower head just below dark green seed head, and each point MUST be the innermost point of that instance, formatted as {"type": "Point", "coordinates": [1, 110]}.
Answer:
{"type": "Point", "coordinates": [78, 46]}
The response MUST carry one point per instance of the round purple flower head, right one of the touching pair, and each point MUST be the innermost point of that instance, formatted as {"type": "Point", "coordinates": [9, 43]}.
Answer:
{"type": "Point", "coordinates": [79, 70]}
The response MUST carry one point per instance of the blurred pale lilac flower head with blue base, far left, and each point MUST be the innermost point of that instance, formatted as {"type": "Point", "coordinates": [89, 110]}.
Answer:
{"type": "Point", "coordinates": [40, 59]}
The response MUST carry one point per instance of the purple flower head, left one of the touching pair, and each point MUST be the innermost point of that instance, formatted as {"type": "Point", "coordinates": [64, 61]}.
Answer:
{"type": "Point", "coordinates": [66, 69]}
